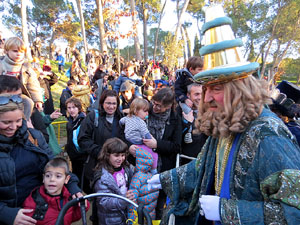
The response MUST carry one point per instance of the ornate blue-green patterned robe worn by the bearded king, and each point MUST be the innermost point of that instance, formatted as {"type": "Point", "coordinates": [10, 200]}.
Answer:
{"type": "Point", "coordinates": [265, 153]}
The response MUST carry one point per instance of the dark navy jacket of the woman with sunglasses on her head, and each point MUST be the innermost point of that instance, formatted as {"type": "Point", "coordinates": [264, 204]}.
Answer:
{"type": "Point", "coordinates": [21, 168]}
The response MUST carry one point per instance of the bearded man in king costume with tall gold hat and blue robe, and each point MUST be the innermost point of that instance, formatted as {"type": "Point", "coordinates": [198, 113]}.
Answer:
{"type": "Point", "coordinates": [248, 170]}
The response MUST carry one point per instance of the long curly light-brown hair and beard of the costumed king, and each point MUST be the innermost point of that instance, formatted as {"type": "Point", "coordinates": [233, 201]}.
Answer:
{"type": "Point", "coordinates": [243, 102]}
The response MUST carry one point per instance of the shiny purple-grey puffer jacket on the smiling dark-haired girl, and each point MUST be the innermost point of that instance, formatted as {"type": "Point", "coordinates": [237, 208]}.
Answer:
{"type": "Point", "coordinates": [110, 210]}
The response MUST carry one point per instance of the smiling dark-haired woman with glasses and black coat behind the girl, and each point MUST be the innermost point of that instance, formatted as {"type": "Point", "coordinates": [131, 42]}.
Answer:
{"type": "Point", "coordinates": [97, 127]}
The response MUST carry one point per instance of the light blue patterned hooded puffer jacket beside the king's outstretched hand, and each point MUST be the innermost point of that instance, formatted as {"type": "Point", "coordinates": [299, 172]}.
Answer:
{"type": "Point", "coordinates": [139, 184]}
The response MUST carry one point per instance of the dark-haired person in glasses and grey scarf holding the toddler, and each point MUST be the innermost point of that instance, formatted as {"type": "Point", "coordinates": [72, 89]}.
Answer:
{"type": "Point", "coordinates": [165, 127]}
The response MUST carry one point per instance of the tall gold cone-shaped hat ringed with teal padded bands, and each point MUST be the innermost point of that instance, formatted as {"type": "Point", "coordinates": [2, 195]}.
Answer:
{"type": "Point", "coordinates": [223, 60]}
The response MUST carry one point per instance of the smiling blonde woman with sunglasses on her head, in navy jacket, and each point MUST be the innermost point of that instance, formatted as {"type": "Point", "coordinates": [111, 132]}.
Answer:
{"type": "Point", "coordinates": [23, 155]}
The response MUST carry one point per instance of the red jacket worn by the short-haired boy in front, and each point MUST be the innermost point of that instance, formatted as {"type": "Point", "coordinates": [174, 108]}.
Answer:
{"type": "Point", "coordinates": [49, 214]}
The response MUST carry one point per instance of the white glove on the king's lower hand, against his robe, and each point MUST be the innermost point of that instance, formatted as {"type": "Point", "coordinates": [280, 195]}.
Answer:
{"type": "Point", "coordinates": [210, 204]}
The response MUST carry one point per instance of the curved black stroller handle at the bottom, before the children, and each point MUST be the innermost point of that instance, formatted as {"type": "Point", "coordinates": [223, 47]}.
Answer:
{"type": "Point", "coordinates": [142, 213]}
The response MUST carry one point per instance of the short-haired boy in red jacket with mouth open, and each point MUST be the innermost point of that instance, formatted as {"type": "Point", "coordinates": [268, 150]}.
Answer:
{"type": "Point", "coordinates": [48, 200]}
